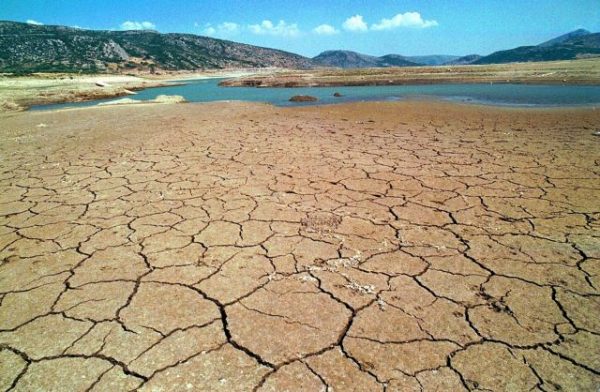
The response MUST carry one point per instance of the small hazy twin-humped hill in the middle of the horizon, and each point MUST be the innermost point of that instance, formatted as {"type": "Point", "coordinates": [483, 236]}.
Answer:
{"type": "Point", "coordinates": [348, 59]}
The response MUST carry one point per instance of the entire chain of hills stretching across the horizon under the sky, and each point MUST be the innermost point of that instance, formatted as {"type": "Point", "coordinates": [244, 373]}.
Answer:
{"type": "Point", "coordinates": [27, 48]}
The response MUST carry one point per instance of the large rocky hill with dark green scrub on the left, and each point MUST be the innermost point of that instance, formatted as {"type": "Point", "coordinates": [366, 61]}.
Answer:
{"type": "Point", "coordinates": [32, 48]}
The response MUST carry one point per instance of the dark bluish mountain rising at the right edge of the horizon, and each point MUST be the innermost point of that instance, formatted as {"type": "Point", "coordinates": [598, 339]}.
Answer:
{"type": "Point", "coordinates": [565, 48]}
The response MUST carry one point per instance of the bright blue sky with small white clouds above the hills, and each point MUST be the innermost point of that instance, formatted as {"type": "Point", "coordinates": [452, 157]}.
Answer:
{"type": "Point", "coordinates": [377, 27]}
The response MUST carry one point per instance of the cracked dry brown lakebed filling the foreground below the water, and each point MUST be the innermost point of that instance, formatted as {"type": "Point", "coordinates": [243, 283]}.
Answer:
{"type": "Point", "coordinates": [239, 247]}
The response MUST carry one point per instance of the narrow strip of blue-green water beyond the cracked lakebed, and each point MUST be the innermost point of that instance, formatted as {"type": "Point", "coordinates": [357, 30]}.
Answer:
{"type": "Point", "coordinates": [489, 94]}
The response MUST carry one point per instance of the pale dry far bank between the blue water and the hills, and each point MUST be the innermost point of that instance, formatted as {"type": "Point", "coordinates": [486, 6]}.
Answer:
{"type": "Point", "coordinates": [20, 93]}
